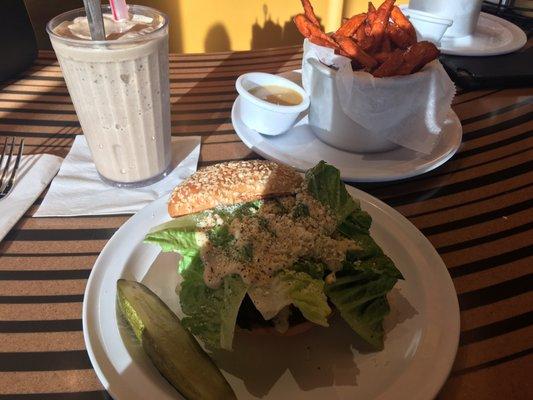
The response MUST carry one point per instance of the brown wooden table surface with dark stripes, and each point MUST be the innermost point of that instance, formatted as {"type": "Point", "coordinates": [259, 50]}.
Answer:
{"type": "Point", "coordinates": [476, 210]}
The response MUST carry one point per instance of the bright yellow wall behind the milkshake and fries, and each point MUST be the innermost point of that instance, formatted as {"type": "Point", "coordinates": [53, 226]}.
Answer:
{"type": "Point", "coordinates": [219, 25]}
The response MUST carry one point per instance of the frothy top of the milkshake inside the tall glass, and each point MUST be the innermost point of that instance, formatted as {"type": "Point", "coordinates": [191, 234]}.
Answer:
{"type": "Point", "coordinates": [137, 25]}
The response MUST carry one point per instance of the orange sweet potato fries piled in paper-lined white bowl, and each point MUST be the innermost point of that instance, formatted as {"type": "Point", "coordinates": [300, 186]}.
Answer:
{"type": "Point", "coordinates": [381, 41]}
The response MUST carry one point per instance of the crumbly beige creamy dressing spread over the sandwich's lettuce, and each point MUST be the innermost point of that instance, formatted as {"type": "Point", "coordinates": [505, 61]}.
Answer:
{"type": "Point", "coordinates": [272, 238]}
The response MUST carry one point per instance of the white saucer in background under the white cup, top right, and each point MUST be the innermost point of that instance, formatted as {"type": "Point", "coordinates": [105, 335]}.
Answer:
{"type": "Point", "coordinates": [493, 36]}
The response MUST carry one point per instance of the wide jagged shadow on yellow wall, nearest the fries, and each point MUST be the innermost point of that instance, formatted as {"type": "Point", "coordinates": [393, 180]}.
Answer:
{"type": "Point", "coordinates": [273, 34]}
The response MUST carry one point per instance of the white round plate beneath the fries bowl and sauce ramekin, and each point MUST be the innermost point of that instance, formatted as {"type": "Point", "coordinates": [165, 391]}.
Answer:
{"type": "Point", "coordinates": [301, 149]}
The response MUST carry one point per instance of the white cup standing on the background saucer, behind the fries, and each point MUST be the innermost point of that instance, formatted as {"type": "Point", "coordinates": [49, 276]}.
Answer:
{"type": "Point", "coordinates": [463, 13]}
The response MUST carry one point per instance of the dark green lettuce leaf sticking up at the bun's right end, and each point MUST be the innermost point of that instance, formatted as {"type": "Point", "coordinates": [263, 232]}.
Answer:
{"type": "Point", "coordinates": [324, 183]}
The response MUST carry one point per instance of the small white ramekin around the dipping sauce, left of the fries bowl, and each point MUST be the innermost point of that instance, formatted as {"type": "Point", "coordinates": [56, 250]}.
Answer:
{"type": "Point", "coordinates": [265, 117]}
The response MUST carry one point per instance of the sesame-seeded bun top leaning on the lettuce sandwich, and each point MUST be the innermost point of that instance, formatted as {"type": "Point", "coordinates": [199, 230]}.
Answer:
{"type": "Point", "coordinates": [232, 183]}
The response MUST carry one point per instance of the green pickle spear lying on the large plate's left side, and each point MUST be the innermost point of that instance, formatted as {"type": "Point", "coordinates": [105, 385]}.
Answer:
{"type": "Point", "coordinates": [173, 350]}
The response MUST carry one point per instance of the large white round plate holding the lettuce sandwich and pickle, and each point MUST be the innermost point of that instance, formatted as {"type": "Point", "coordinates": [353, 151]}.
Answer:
{"type": "Point", "coordinates": [420, 346]}
